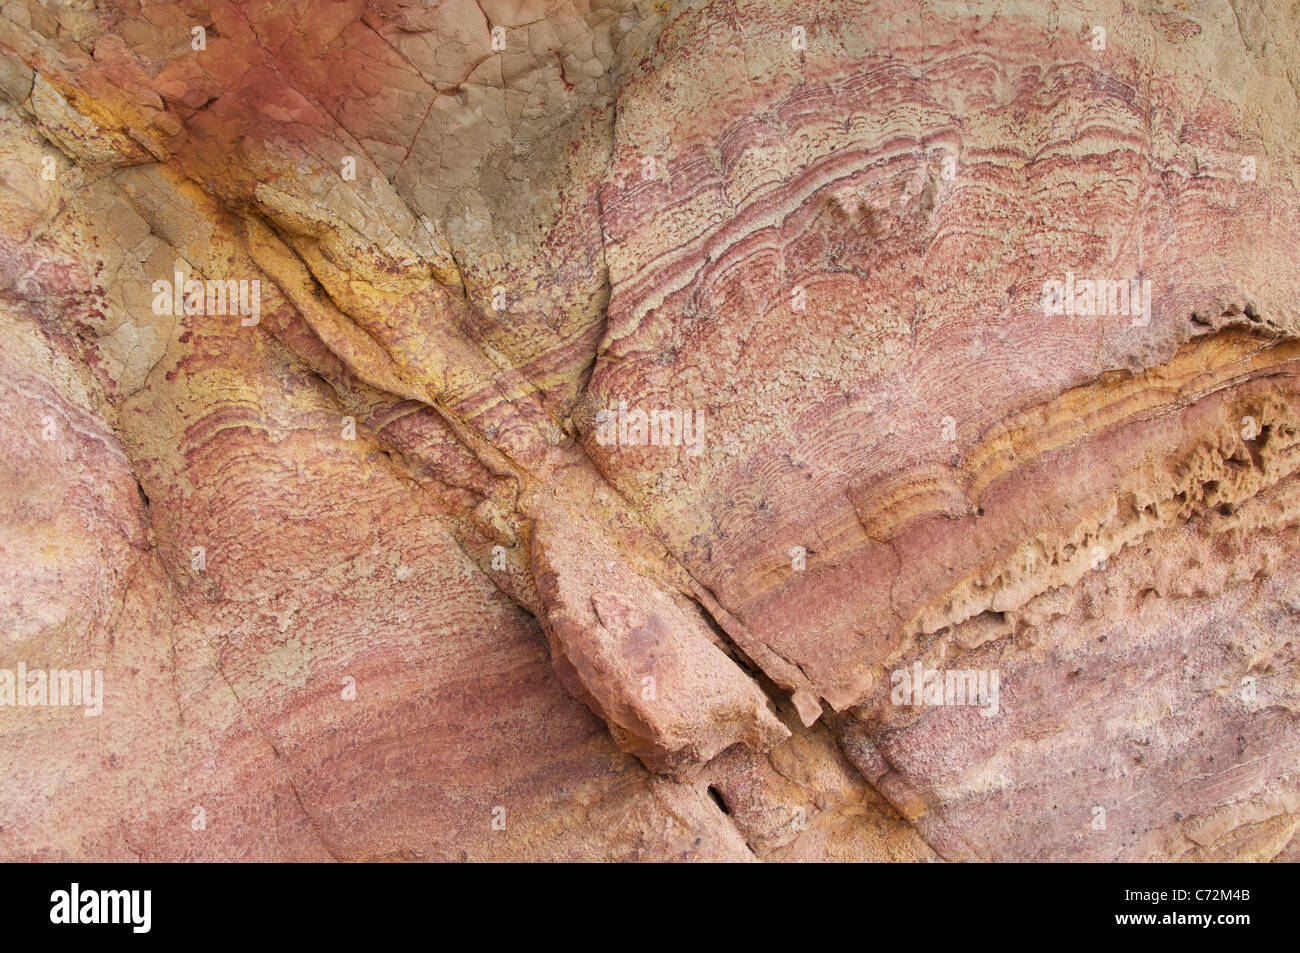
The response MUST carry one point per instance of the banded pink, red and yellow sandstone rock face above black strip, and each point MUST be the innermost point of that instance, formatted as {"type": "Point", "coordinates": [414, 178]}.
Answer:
{"type": "Point", "coordinates": [651, 431]}
